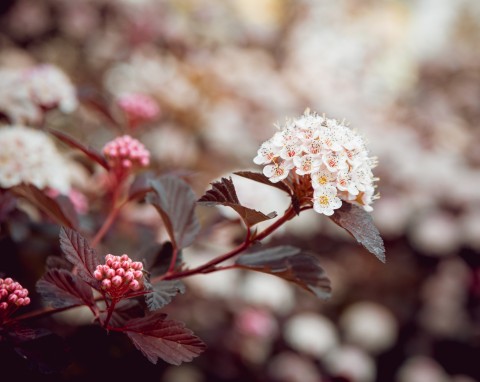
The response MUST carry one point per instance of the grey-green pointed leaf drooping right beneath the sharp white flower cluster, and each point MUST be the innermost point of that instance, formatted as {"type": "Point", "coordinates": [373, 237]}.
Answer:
{"type": "Point", "coordinates": [360, 225]}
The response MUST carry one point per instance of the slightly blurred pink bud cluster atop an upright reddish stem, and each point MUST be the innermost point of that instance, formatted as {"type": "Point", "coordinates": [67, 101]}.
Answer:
{"type": "Point", "coordinates": [125, 153]}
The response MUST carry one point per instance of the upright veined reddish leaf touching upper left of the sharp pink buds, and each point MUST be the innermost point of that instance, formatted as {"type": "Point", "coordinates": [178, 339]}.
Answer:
{"type": "Point", "coordinates": [78, 252]}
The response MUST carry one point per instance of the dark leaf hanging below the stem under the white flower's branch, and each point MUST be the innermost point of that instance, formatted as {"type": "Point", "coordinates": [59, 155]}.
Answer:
{"type": "Point", "coordinates": [291, 264]}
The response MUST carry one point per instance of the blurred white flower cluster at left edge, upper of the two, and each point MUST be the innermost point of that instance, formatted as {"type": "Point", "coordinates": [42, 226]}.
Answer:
{"type": "Point", "coordinates": [26, 93]}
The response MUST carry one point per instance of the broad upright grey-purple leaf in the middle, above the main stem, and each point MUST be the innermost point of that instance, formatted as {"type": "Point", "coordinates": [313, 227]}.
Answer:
{"type": "Point", "coordinates": [175, 200]}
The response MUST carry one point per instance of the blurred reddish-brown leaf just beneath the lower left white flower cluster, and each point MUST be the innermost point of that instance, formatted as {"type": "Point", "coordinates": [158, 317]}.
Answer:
{"type": "Point", "coordinates": [59, 209]}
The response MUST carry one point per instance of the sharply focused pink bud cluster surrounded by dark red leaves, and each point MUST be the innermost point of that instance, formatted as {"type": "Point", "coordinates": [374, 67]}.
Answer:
{"type": "Point", "coordinates": [120, 275]}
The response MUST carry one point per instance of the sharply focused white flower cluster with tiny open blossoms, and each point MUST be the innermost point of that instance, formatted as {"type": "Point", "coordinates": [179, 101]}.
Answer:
{"type": "Point", "coordinates": [330, 153]}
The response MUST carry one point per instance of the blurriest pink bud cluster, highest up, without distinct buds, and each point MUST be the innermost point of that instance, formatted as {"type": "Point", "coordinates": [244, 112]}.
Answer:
{"type": "Point", "coordinates": [138, 108]}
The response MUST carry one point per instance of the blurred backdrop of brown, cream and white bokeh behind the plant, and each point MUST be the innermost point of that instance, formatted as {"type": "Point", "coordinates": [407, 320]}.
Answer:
{"type": "Point", "coordinates": [405, 73]}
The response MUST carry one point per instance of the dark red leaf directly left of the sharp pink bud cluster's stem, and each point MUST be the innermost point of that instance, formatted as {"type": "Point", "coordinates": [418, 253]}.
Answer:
{"type": "Point", "coordinates": [61, 288]}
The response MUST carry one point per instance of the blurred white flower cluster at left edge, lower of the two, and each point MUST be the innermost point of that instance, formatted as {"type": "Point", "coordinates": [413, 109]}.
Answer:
{"type": "Point", "coordinates": [30, 156]}
